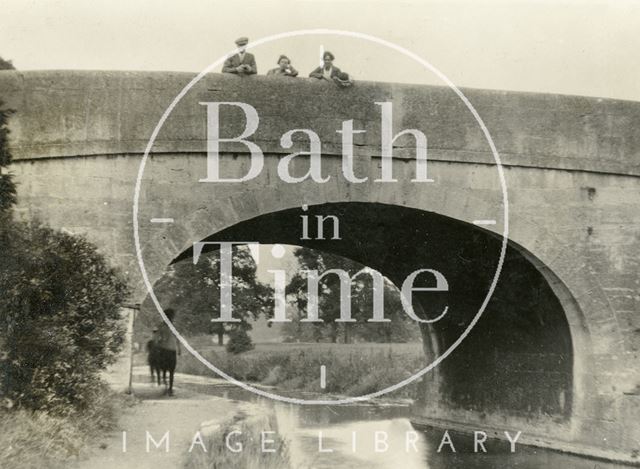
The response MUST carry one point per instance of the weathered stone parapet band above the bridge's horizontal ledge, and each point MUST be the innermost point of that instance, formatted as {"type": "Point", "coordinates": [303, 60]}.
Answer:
{"type": "Point", "coordinates": [82, 113]}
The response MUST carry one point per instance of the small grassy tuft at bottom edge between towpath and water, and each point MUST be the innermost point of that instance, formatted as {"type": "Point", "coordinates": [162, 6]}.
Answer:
{"type": "Point", "coordinates": [247, 456]}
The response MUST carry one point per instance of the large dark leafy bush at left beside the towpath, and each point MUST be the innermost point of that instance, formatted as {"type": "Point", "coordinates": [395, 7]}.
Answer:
{"type": "Point", "coordinates": [59, 317]}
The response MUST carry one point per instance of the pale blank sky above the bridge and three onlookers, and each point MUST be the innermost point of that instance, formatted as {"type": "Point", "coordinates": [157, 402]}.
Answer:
{"type": "Point", "coordinates": [573, 47]}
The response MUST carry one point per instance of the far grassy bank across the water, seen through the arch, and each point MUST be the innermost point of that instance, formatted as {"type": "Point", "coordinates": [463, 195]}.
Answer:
{"type": "Point", "coordinates": [352, 369]}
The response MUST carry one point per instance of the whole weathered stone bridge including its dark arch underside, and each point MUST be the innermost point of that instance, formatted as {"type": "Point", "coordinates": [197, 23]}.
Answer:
{"type": "Point", "coordinates": [566, 371]}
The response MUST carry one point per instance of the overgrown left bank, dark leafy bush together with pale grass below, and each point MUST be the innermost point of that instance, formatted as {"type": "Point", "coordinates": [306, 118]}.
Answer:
{"type": "Point", "coordinates": [59, 328]}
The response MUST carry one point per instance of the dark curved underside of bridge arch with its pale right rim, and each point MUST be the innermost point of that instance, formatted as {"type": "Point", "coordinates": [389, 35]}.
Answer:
{"type": "Point", "coordinates": [558, 365]}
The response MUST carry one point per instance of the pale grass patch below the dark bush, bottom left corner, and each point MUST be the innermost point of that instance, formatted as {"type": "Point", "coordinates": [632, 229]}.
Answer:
{"type": "Point", "coordinates": [37, 439]}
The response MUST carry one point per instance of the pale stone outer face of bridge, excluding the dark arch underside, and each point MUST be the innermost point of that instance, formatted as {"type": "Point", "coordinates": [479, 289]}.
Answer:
{"type": "Point", "coordinates": [571, 164]}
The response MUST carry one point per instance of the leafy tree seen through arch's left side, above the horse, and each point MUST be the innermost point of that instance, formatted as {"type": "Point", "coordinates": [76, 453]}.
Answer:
{"type": "Point", "coordinates": [194, 292]}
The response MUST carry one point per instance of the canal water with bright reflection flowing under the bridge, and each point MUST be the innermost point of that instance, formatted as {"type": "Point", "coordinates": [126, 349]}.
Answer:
{"type": "Point", "coordinates": [344, 436]}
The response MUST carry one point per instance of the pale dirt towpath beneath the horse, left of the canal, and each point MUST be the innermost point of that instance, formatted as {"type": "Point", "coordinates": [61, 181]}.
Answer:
{"type": "Point", "coordinates": [182, 416]}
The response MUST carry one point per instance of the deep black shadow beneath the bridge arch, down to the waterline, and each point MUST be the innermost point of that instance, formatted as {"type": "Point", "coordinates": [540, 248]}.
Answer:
{"type": "Point", "coordinates": [523, 358]}
